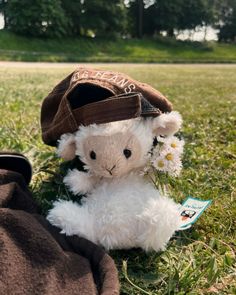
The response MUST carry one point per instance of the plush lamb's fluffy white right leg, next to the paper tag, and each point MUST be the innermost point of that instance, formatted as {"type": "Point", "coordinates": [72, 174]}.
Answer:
{"type": "Point", "coordinates": [158, 222]}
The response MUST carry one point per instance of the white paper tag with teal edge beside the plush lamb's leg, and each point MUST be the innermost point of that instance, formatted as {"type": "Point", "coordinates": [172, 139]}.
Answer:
{"type": "Point", "coordinates": [191, 210]}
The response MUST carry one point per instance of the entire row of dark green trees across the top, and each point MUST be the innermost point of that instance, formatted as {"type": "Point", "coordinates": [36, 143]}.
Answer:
{"type": "Point", "coordinates": [122, 18]}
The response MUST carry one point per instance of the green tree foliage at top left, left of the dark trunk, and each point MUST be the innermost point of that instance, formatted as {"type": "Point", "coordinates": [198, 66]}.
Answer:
{"type": "Point", "coordinates": [56, 18]}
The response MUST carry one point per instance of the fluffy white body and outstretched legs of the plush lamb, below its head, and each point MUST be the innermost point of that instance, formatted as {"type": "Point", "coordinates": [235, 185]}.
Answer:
{"type": "Point", "coordinates": [121, 214]}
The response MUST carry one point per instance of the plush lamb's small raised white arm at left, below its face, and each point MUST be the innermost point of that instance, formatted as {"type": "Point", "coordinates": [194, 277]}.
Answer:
{"type": "Point", "coordinates": [78, 182]}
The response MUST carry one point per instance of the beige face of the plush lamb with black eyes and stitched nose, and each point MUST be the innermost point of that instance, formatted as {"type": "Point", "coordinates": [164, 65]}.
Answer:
{"type": "Point", "coordinates": [110, 155]}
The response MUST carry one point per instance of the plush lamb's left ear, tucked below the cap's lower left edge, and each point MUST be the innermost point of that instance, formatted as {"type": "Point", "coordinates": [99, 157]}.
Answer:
{"type": "Point", "coordinates": [66, 147]}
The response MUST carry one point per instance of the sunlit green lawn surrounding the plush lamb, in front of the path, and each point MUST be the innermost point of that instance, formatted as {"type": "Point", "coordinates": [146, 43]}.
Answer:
{"type": "Point", "coordinates": [200, 260]}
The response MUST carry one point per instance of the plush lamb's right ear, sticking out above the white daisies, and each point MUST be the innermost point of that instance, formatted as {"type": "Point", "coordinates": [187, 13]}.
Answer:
{"type": "Point", "coordinates": [167, 124]}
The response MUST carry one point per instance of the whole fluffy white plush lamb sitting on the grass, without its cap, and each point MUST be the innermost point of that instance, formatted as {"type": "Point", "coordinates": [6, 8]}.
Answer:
{"type": "Point", "coordinates": [122, 208]}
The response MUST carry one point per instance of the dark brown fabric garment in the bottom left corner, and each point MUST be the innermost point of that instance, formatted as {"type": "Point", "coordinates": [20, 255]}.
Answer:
{"type": "Point", "coordinates": [36, 259]}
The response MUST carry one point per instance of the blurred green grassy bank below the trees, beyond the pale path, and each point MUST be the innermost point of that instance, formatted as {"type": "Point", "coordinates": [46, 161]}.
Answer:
{"type": "Point", "coordinates": [161, 50]}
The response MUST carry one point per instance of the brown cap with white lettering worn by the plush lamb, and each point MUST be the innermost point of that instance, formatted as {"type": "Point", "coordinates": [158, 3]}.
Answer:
{"type": "Point", "coordinates": [89, 96]}
